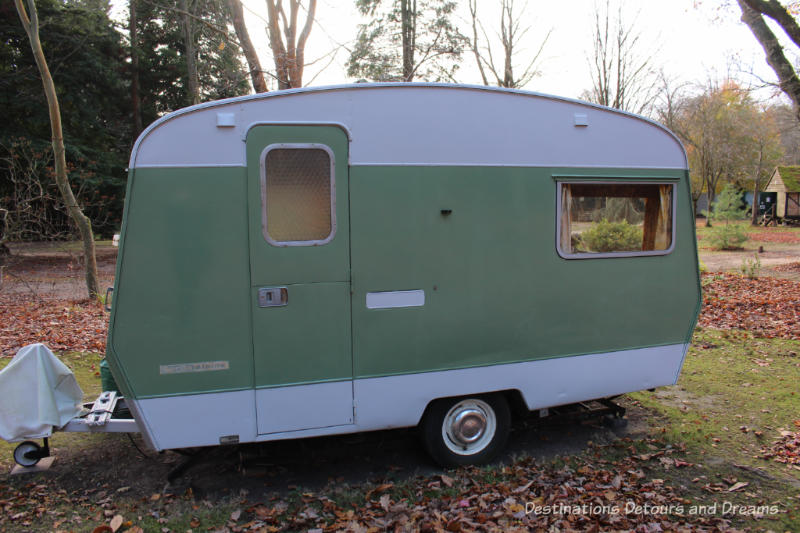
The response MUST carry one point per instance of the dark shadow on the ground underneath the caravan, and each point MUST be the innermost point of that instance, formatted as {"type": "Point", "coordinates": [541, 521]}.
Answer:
{"type": "Point", "coordinates": [278, 468]}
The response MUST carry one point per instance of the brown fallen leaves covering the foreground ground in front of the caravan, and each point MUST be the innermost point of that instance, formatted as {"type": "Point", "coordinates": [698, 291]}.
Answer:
{"type": "Point", "coordinates": [616, 487]}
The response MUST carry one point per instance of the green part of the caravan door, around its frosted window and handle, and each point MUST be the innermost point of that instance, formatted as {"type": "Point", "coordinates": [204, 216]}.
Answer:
{"type": "Point", "coordinates": [308, 339]}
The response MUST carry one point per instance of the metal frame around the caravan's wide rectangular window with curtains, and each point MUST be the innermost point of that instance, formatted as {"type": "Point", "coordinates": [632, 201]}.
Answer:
{"type": "Point", "coordinates": [560, 182]}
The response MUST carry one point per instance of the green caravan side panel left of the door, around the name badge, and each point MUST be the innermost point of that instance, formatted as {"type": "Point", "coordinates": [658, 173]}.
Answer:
{"type": "Point", "coordinates": [181, 293]}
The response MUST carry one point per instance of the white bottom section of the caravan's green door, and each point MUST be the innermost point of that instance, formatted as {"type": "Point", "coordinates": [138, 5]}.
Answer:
{"type": "Point", "coordinates": [304, 406]}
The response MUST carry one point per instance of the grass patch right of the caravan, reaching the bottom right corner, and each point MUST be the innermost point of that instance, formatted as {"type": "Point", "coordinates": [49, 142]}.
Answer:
{"type": "Point", "coordinates": [736, 392]}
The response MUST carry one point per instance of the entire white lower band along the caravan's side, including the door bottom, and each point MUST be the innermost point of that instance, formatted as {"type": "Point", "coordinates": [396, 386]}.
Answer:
{"type": "Point", "coordinates": [396, 401]}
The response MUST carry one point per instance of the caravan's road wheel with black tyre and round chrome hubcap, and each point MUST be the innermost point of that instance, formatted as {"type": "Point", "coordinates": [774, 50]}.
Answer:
{"type": "Point", "coordinates": [466, 431]}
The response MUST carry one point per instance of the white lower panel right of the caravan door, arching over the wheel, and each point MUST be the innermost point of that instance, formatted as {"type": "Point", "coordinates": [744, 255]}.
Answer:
{"type": "Point", "coordinates": [399, 401]}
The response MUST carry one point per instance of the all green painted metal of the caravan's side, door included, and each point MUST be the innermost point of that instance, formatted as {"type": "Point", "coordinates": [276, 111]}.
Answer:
{"type": "Point", "coordinates": [193, 257]}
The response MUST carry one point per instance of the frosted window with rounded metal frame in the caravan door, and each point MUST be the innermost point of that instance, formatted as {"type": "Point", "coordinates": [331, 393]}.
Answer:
{"type": "Point", "coordinates": [298, 194]}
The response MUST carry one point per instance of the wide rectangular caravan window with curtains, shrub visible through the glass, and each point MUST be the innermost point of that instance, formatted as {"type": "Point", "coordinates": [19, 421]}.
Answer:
{"type": "Point", "coordinates": [615, 219]}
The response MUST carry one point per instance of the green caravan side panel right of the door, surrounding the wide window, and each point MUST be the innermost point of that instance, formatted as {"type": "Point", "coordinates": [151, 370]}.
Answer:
{"type": "Point", "coordinates": [496, 291]}
